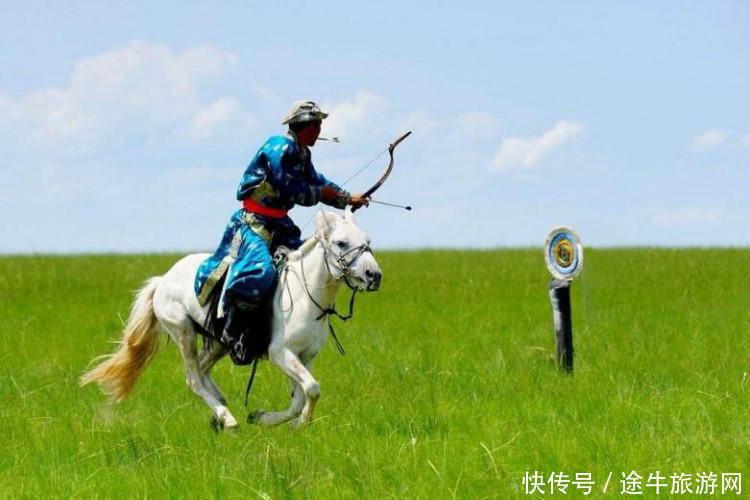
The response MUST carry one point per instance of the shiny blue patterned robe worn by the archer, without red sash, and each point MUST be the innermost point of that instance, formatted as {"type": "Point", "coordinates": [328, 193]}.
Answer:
{"type": "Point", "coordinates": [280, 175]}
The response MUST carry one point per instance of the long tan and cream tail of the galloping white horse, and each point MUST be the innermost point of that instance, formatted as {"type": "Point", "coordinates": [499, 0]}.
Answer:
{"type": "Point", "coordinates": [118, 372]}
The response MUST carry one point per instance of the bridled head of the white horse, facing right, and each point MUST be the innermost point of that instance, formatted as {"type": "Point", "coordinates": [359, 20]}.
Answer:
{"type": "Point", "coordinates": [347, 251]}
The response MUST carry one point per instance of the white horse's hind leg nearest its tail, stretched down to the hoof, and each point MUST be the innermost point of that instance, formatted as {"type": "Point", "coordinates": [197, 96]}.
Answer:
{"type": "Point", "coordinates": [185, 339]}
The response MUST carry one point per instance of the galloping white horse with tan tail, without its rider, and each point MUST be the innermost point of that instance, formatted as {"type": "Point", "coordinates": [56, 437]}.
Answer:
{"type": "Point", "coordinates": [338, 252]}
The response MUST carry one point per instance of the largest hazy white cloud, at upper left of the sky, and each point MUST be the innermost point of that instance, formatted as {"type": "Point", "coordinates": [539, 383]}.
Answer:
{"type": "Point", "coordinates": [142, 88]}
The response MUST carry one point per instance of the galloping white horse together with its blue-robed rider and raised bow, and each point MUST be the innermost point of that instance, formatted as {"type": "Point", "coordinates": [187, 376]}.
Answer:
{"type": "Point", "coordinates": [230, 295]}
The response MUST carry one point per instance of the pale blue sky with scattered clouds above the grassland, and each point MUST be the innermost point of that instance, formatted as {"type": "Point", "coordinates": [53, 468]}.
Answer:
{"type": "Point", "coordinates": [126, 126]}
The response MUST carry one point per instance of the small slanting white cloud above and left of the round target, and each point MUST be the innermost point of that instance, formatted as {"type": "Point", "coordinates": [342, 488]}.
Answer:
{"type": "Point", "coordinates": [526, 152]}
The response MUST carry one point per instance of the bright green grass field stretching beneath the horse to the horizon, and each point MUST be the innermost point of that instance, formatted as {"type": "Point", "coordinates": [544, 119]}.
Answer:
{"type": "Point", "coordinates": [448, 388]}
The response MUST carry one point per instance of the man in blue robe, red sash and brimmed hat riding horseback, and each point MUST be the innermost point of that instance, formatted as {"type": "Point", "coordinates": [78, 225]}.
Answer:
{"type": "Point", "coordinates": [280, 175]}
